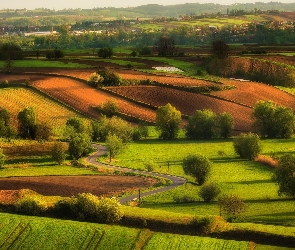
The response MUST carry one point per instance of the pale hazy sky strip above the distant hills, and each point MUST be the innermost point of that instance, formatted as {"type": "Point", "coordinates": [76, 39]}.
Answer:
{"type": "Point", "coordinates": [89, 4]}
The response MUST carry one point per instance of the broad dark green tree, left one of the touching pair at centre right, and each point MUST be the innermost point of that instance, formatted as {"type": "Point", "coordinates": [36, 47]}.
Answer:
{"type": "Point", "coordinates": [203, 124]}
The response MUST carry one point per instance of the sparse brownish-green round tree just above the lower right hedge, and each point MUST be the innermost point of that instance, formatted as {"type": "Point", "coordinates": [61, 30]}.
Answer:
{"type": "Point", "coordinates": [232, 206]}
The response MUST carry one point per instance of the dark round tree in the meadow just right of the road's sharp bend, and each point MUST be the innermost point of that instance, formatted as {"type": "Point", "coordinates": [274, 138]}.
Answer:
{"type": "Point", "coordinates": [197, 166]}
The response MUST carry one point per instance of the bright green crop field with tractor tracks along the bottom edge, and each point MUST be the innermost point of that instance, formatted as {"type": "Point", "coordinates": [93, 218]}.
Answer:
{"type": "Point", "coordinates": [21, 232]}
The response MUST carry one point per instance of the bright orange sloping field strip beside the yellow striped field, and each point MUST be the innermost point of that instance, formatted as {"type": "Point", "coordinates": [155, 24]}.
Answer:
{"type": "Point", "coordinates": [84, 97]}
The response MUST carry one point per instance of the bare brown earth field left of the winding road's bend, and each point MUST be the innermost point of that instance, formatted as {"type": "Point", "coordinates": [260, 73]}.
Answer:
{"type": "Point", "coordinates": [67, 186]}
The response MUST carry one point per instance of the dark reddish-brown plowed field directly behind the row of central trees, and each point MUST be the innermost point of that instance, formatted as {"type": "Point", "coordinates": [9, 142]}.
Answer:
{"type": "Point", "coordinates": [187, 102]}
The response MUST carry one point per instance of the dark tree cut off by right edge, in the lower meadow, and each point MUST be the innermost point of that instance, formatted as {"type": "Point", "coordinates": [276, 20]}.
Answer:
{"type": "Point", "coordinates": [285, 175]}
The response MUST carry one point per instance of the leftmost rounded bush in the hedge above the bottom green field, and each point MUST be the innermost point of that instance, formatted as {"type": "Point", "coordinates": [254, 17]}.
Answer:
{"type": "Point", "coordinates": [30, 206]}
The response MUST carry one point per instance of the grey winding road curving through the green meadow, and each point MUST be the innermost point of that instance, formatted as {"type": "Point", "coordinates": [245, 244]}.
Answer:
{"type": "Point", "coordinates": [101, 150]}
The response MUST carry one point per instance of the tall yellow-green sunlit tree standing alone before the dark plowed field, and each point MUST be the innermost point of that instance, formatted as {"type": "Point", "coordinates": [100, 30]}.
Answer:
{"type": "Point", "coordinates": [168, 121]}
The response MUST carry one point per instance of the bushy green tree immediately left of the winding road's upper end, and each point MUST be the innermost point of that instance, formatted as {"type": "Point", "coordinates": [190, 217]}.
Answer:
{"type": "Point", "coordinates": [79, 145]}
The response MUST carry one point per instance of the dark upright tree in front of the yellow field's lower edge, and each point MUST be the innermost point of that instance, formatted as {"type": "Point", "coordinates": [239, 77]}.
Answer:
{"type": "Point", "coordinates": [27, 121]}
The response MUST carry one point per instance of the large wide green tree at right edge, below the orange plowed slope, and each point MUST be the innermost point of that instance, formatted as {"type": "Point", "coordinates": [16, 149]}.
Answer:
{"type": "Point", "coordinates": [272, 120]}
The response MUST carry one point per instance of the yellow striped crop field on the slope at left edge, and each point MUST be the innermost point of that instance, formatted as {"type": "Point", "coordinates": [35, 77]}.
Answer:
{"type": "Point", "coordinates": [16, 99]}
